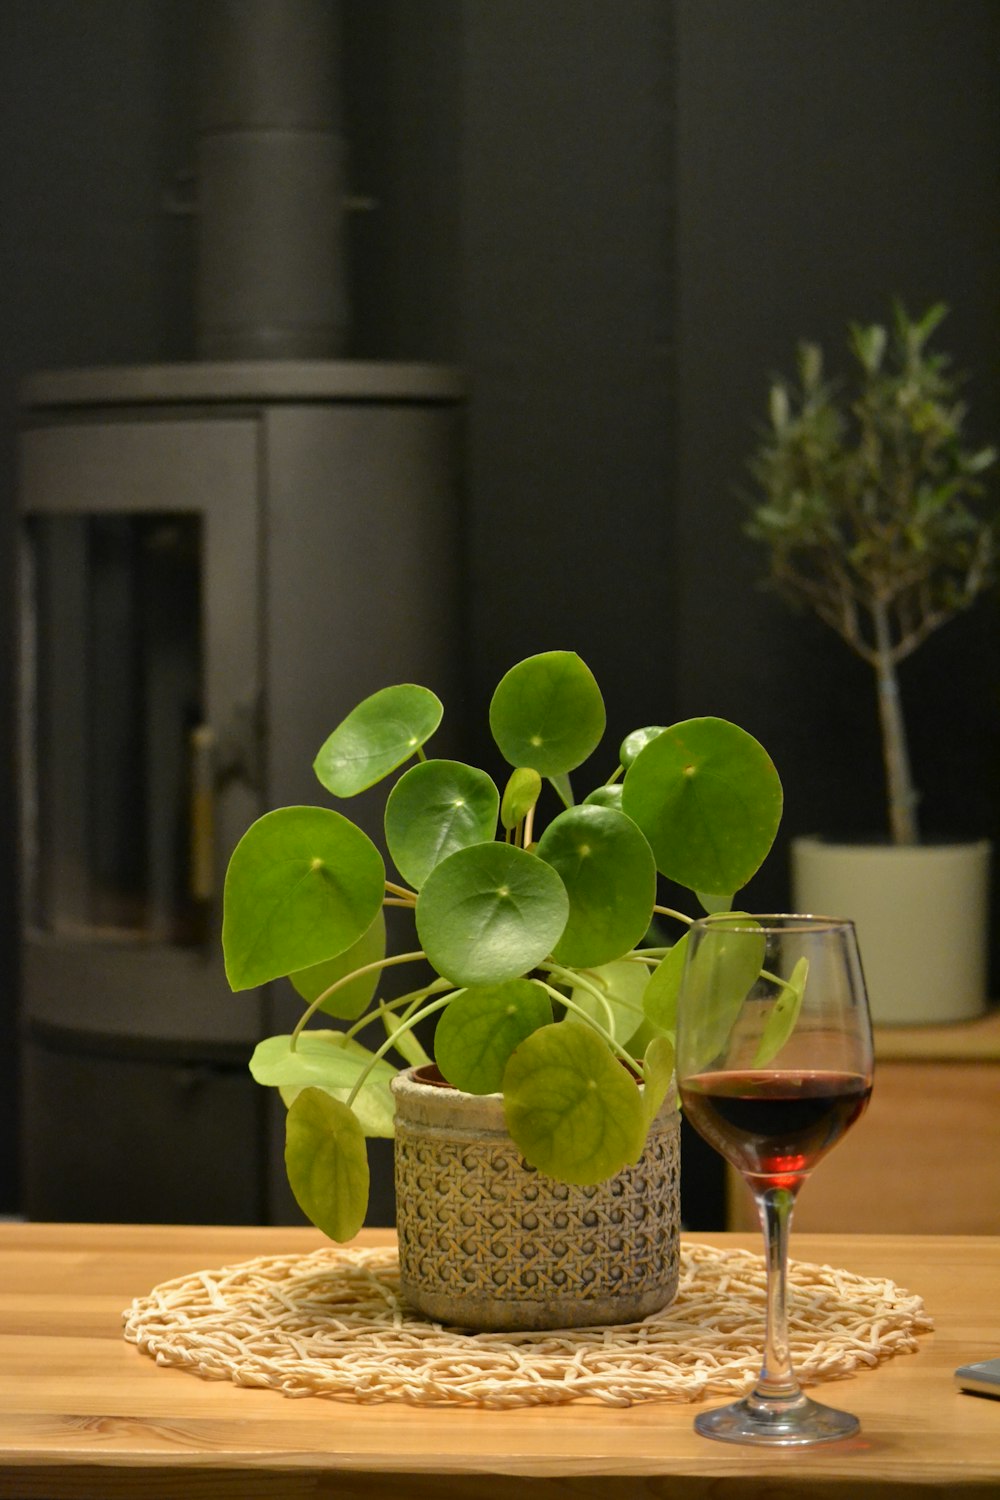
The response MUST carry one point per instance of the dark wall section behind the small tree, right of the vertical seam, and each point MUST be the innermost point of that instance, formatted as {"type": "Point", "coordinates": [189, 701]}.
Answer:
{"type": "Point", "coordinates": [830, 158]}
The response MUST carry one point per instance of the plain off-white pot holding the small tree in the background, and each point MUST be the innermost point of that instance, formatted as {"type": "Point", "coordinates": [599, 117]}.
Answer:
{"type": "Point", "coordinates": [921, 917]}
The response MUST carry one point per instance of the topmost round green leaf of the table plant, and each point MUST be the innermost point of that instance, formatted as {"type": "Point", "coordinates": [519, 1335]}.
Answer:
{"type": "Point", "coordinates": [548, 713]}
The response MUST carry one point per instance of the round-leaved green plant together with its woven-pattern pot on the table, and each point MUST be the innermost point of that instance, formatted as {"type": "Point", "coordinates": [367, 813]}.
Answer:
{"type": "Point", "coordinates": [552, 1003]}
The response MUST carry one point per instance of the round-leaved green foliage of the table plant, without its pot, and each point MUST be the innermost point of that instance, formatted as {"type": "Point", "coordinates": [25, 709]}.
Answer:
{"type": "Point", "coordinates": [546, 985]}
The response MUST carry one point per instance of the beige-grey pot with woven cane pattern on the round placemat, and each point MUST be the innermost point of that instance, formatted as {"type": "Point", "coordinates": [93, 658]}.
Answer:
{"type": "Point", "coordinates": [488, 1243]}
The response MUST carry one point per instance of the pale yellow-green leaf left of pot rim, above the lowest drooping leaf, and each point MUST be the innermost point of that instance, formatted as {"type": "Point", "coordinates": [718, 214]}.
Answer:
{"type": "Point", "coordinates": [334, 1063]}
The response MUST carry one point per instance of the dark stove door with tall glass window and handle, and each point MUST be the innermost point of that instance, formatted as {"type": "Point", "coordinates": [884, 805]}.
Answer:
{"type": "Point", "coordinates": [142, 748]}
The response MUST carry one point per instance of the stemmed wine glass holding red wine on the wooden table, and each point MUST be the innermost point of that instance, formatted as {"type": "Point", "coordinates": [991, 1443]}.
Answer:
{"type": "Point", "coordinates": [774, 1064]}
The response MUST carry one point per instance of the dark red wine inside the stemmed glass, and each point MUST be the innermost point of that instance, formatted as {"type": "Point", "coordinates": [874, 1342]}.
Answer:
{"type": "Point", "coordinates": [770, 1124]}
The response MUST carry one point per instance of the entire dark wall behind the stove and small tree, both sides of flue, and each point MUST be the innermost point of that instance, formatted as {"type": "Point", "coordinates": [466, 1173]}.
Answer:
{"type": "Point", "coordinates": [618, 217]}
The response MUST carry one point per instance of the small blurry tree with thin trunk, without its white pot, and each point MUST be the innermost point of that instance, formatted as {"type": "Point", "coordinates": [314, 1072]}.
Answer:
{"type": "Point", "coordinates": [875, 512]}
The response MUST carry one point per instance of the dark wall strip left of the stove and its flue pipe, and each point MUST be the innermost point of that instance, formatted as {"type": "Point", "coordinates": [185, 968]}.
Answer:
{"type": "Point", "coordinates": [92, 272]}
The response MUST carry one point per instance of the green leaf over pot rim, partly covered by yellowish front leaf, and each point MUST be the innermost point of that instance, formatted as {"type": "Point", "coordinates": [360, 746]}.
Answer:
{"type": "Point", "coordinates": [482, 1027]}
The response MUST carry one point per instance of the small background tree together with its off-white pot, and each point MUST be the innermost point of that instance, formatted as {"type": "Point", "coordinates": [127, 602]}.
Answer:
{"type": "Point", "coordinates": [875, 515]}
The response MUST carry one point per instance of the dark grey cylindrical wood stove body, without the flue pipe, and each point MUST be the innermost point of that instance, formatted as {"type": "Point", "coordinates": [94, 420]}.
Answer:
{"type": "Point", "coordinates": [220, 560]}
